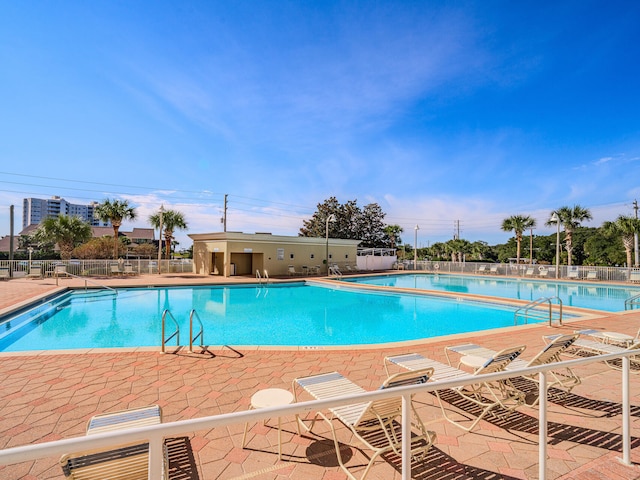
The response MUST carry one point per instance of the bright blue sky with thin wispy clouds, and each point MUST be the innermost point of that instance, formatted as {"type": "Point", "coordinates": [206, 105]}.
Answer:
{"type": "Point", "coordinates": [438, 111]}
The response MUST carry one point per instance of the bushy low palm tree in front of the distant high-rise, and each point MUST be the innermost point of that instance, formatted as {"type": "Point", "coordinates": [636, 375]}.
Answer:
{"type": "Point", "coordinates": [67, 232]}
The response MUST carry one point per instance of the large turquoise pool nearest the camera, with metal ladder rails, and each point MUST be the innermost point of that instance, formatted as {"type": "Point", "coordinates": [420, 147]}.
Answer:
{"type": "Point", "coordinates": [285, 315]}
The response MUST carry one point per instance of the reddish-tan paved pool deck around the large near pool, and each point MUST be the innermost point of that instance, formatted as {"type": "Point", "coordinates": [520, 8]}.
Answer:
{"type": "Point", "coordinates": [50, 396]}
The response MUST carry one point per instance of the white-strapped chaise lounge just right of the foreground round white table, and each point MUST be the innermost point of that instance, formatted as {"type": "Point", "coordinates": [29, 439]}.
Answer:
{"type": "Point", "coordinates": [373, 423]}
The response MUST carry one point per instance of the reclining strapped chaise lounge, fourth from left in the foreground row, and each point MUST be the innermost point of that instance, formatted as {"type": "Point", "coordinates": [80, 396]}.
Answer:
{"type": "Point", "coordinates": [565, 378]}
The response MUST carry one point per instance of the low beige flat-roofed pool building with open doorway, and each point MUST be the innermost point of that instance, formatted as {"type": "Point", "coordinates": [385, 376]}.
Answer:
{"type": "Point", "coordinates": [232, 253]}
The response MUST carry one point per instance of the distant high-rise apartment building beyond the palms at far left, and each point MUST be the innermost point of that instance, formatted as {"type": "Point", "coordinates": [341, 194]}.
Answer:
{"type": "Point", "coordinates": [34, 210]}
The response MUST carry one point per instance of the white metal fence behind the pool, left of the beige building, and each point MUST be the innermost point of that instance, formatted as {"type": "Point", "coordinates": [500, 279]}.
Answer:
{"type": "Point", "coordinates": [96, 268]}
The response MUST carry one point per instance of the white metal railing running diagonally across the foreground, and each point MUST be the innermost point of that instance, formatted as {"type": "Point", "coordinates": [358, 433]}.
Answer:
{"type": "Point", "coordinates": [156, 434]}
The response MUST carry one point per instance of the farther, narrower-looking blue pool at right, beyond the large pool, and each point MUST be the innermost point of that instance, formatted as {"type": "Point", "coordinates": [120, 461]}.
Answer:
{"type": "Point", "coordinates": [608, 298]}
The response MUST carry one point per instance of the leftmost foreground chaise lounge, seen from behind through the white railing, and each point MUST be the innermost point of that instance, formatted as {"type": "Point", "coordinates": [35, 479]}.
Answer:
{"type": "Point", "coordinates": [130, 461]}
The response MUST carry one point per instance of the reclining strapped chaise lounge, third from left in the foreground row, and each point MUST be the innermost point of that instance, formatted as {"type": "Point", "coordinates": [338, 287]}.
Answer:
{"type": "Point", "coordinates": [488, 396]}
